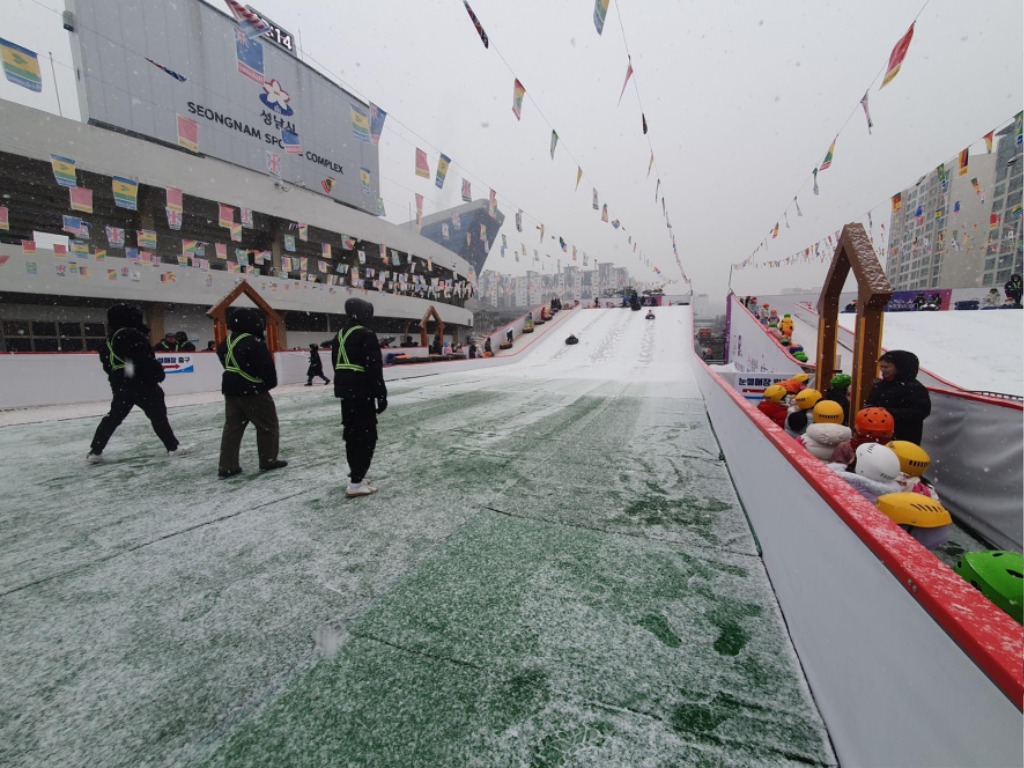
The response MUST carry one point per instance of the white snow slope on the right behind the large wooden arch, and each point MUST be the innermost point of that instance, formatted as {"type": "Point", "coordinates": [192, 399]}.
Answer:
{"type": "Point", "coordinates": [975, 351]}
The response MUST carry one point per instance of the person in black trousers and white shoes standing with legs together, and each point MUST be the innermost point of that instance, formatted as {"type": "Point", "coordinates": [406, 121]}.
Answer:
{"type": "Point", "coordinates": [359, 381]}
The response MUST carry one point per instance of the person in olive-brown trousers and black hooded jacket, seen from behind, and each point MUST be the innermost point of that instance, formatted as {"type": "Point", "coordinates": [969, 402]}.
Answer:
{"type": "Point", "coordinates": [249, 377]}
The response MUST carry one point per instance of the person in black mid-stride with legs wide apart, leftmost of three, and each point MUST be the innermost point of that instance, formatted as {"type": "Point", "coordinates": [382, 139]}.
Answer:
{"type": "Point", "coordinates": [135, 375]}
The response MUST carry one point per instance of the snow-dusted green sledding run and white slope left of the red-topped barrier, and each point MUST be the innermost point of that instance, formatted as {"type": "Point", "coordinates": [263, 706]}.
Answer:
{"type": "Point", "coordinates": [557, 571]}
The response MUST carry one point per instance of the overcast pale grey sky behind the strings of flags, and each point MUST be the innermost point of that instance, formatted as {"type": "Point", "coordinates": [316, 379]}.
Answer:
{"type": "Point", "coordinates": [742, 99]}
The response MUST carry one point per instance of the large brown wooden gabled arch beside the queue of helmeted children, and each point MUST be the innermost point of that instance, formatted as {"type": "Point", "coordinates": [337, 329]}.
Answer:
{"type": "Point", "coordinates": [855, 252]}
